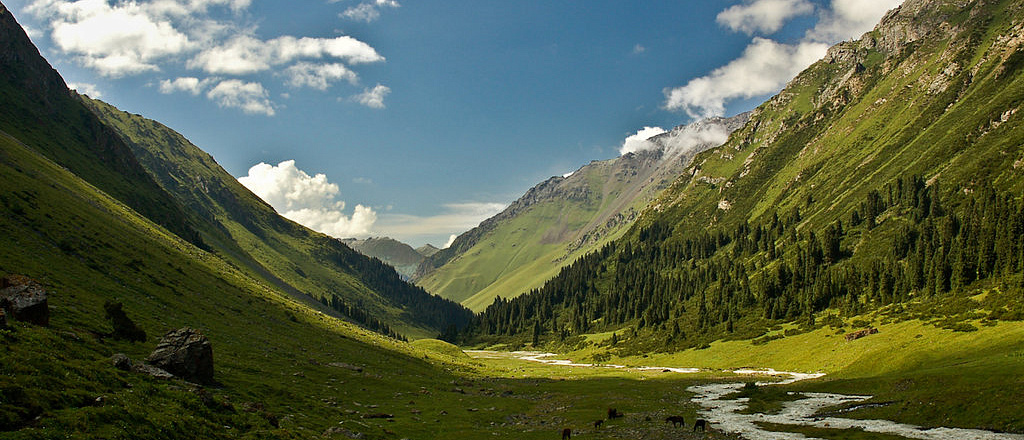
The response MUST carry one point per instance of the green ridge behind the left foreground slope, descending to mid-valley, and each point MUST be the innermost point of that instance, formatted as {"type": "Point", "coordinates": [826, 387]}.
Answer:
{"type": "Point", "coordinates": [247, 232]}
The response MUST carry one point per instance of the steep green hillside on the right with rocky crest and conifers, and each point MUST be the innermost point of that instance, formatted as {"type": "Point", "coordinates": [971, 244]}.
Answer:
{"type": "Point", "coordinates": [888, 174]}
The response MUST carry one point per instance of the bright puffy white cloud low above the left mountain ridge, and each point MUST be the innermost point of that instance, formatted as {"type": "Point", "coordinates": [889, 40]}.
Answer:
{"type": "Point", "coordinates": [310, 201]}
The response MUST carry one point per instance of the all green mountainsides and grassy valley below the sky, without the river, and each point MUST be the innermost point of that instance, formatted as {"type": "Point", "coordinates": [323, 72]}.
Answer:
{"type": "Point", "coordinates": [880, 190]}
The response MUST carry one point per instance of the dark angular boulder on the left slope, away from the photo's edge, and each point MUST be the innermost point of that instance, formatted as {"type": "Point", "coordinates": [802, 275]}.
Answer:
{"type": "Point", "coordinates": [187, 355]}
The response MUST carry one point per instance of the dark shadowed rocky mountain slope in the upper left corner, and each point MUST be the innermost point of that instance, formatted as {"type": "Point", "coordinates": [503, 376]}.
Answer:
{"type": "Point", "coordinates": [39, 110]}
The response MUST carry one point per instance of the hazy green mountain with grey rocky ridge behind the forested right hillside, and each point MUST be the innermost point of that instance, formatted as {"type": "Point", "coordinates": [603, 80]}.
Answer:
{"type": "Point", "coordinates": [564, 218]}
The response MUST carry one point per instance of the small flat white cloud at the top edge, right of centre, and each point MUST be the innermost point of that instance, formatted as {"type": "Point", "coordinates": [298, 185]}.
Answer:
{"type": "Point", "coordinates": [762, 16]}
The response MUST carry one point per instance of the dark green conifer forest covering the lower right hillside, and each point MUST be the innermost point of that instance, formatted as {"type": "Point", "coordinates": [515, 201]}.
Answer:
{"type": "Point", "coordinates": [677, 289]}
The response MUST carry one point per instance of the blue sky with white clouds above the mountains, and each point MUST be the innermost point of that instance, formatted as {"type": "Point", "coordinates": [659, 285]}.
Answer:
{"type": "Point", "coordinates": [419, 119]}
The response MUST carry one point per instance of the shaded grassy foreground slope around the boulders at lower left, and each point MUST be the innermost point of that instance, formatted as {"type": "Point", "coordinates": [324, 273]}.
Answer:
{"type": "Point", "coordinates": [88, 248]}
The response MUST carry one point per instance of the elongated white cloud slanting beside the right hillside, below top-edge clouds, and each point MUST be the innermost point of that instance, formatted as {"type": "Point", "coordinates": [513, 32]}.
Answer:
{"type": "Point", "coordinates": [764, 67]}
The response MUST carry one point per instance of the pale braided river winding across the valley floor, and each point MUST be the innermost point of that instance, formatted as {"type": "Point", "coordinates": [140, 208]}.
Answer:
{"type": "Point", "coordinates": [724, 414]}
